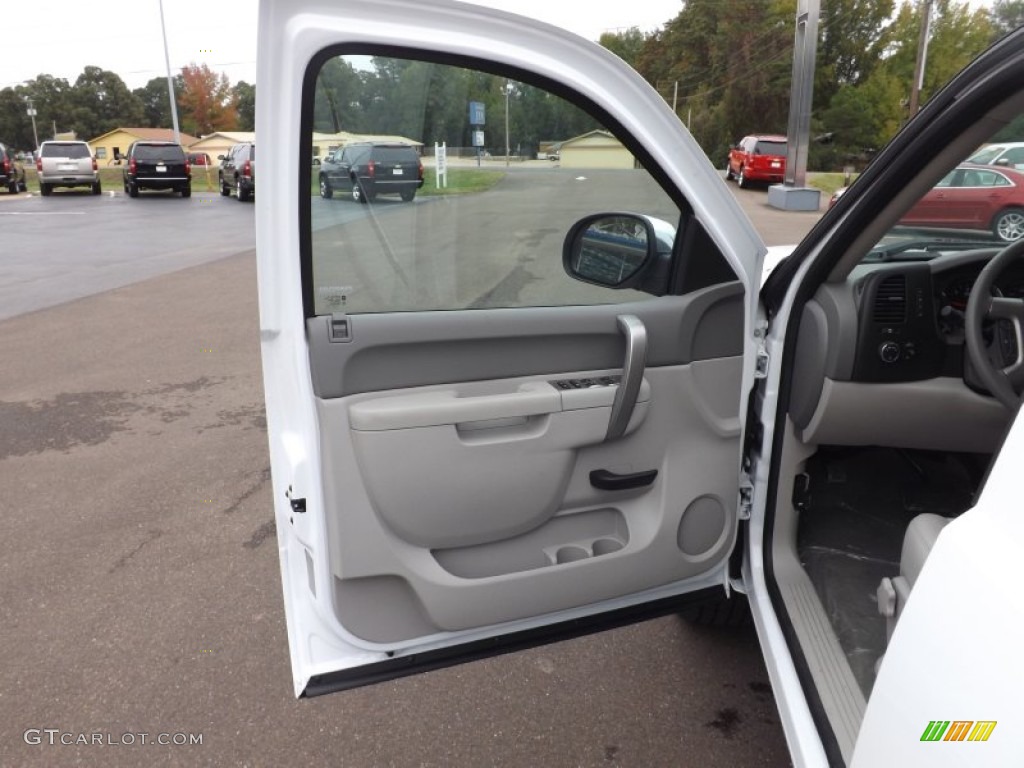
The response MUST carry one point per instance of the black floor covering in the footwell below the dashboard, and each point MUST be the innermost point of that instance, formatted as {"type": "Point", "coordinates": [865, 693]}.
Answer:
{"type": "Point", "coordinates": [856, 506]}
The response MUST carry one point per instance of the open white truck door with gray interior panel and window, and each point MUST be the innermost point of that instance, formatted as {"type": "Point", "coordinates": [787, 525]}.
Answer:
{"type": "Point", "coordinates": [472, 450]}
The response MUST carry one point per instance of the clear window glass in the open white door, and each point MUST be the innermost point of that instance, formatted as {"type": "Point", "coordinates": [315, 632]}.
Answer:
{"type": "Point", "coordinates": [450, 203]}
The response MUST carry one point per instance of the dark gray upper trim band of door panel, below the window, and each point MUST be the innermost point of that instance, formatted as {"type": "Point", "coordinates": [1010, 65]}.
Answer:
{"type": "Point", "coordinates": [409, 350]}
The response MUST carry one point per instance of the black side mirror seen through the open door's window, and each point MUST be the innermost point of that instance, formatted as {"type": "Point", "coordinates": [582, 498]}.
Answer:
{"type": "Point", "coordinates": [620, 250]}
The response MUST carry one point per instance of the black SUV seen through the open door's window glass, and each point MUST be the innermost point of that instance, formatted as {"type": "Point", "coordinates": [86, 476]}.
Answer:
{"type": "Point", "coordinates": [368, 169]}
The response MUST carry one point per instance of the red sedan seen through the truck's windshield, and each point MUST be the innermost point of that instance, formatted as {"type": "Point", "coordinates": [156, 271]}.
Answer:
{"type": "Point", "coordinates": [974, 197]}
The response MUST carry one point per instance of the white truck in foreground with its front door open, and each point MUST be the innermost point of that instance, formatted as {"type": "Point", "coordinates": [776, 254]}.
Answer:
{"type": "Point", "coordinates": [491, 425]}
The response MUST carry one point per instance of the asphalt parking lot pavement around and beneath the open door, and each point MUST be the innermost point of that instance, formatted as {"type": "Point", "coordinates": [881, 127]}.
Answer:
{"type": "Point", "coordinates": [139, 576]}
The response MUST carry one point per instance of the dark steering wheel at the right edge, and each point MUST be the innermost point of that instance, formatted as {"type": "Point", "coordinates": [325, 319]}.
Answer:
{"type": "Point", "coordinates": [1005, 382]}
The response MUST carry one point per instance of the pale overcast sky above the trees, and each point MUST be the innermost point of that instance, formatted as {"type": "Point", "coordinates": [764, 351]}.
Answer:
{"type": "Point", "coordinates": [124, 36]}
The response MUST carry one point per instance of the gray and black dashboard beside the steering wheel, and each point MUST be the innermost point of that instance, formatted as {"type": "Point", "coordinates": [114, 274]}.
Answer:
{"type": "Point", "coordinates": [881, 357]}
